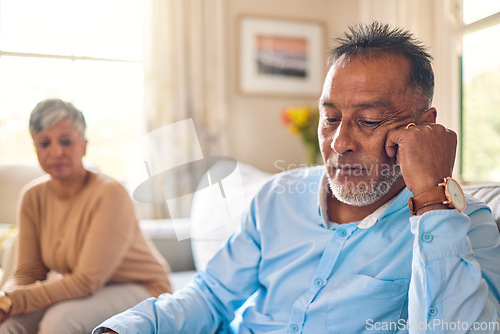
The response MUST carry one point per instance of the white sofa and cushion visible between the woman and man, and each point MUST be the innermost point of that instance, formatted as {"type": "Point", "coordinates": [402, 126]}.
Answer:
{"type": "Point", "coordinates": [208, 225]}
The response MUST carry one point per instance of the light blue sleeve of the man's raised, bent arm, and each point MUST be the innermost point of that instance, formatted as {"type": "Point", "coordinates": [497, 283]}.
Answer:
{"type": "Point", "coordinates": [455, 282]}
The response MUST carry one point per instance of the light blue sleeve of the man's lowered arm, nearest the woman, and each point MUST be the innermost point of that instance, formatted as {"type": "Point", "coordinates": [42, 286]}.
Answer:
{"type": "Point", "coordinates": [208, 304]}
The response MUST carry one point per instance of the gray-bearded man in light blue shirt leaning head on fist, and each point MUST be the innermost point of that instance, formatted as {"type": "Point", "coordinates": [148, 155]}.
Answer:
{"type": "Point", "coordinates": [386, 241]}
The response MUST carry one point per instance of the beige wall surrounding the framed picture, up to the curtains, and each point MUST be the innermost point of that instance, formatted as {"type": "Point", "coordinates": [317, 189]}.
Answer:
{"type": "Point", "coordinates": [256, 134]}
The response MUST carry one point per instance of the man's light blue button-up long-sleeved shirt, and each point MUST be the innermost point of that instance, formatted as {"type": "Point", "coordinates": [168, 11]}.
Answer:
{"type": "Point", "coordinates": [392, 272]}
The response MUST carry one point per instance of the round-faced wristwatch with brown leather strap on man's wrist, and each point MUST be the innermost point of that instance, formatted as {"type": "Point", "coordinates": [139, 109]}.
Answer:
{"type": "Point", "coordinates": [448, 193]}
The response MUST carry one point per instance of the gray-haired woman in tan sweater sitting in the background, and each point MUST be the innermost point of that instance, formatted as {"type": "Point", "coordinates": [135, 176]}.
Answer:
{"type": "Point", "coordinates": [81, 225]}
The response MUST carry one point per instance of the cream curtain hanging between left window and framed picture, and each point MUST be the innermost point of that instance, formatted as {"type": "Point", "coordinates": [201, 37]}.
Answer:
{"type": "Point", "coordinates": [185, 77]}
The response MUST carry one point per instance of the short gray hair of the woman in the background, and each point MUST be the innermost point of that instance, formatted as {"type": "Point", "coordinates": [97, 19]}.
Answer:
{"type": "Point", "coordinates": [50, 111]}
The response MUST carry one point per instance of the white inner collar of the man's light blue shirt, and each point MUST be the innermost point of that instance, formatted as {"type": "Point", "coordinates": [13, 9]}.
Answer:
{"type": "Point", "coordinates": [367, 222]}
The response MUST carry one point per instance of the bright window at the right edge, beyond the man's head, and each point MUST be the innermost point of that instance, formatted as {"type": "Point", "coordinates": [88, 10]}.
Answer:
{"type": "Point", "coordinates": [480, 91]}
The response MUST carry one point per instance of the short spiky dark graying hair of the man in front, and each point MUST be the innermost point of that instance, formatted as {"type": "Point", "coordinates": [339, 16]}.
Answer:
{"type": "Point", "coordinates": [376, 39]}
